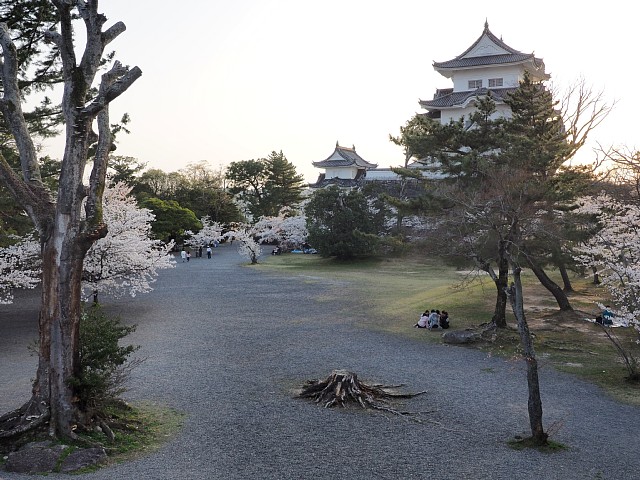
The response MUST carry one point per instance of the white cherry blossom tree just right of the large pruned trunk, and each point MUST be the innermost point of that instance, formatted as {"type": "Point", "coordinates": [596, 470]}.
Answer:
{"type": "Point", "coordinates": [126, 260]}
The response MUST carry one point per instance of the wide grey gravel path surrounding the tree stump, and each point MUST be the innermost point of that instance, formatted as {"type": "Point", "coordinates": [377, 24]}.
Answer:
{"type": "Point", "coordinates": [227, 344]}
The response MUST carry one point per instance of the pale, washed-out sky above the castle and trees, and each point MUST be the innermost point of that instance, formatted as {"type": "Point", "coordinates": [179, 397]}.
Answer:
{"type": "Point", "coordinates": [225, 81]}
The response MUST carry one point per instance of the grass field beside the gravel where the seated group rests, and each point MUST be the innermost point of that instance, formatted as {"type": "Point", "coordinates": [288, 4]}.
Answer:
{"type": "Point", "coordinates": [394, 291]}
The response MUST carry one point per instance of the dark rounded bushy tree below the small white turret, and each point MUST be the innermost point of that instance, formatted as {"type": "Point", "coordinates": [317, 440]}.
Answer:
{"type": "Point", "coordinates": [342, 224]}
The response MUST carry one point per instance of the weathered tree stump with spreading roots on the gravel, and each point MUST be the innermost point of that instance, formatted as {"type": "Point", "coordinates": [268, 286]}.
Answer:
{"type": "Point", "coordinates": [342, 388]}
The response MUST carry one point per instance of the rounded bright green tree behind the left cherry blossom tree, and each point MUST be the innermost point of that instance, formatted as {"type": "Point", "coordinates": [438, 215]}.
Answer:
{"type": "Point", "coordinates": [171, 220]}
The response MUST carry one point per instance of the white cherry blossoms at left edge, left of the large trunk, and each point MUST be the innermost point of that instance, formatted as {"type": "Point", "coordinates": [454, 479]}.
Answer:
{"type": "Point", "coordinates": [19, 267]}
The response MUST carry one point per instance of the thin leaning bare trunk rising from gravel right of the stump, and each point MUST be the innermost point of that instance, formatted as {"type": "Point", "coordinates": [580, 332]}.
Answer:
{"type": "Point", "coordinates": [534, 403]}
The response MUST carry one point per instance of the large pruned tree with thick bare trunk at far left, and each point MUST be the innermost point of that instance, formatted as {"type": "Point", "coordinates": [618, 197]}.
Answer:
{"type": "Point", "coordinates": [65, 233]}
